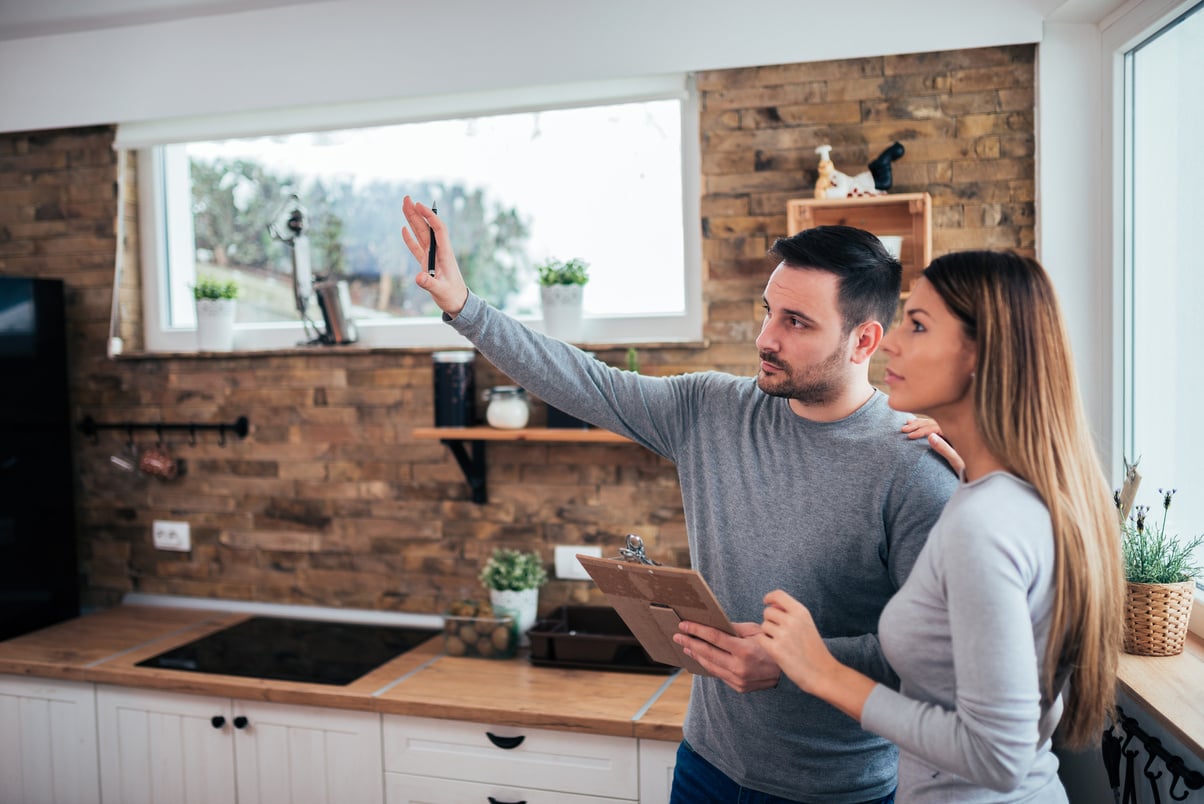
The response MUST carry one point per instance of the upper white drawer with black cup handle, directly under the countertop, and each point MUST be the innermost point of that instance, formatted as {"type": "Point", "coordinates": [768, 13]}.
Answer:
{"type": "Point", "coordinates": [540, 759]}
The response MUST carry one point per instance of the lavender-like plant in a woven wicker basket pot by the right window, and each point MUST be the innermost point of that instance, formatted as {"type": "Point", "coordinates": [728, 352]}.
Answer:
{"type": "Point", "coordinates": [1160, 572]}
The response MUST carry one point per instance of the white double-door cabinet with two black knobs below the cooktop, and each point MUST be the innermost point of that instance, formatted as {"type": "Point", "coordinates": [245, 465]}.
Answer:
{"type": "Point", "coordinates": [166, 747]}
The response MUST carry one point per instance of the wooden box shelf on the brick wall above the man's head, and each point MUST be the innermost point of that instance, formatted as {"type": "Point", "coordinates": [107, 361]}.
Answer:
{"type": "Point", "coordinates": [906, 215]}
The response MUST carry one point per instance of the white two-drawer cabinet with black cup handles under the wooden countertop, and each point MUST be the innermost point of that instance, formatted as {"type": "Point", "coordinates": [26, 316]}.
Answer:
{"type": "Point", "coordinates": [447, 761]}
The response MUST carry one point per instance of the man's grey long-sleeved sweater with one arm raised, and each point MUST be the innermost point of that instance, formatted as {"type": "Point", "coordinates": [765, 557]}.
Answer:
{"type": "Point", "coordinates": [834, 513]}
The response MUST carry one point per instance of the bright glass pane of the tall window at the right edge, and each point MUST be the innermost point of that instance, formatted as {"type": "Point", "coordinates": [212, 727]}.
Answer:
{"type": "Point", "coordinates": [1164, 292]}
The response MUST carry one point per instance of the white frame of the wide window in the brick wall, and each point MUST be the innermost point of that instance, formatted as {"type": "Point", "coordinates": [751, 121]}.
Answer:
{"type": "Point", "coordinates": [162, 169]}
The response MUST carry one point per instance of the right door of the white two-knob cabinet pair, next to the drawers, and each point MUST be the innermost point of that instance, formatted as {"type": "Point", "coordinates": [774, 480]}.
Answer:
{"type": "Point", "coordinates": [308, 755]}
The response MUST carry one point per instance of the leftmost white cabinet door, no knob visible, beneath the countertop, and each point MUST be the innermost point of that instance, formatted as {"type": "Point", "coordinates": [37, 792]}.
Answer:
{"type": "Point", "coordinates": [48, 742]}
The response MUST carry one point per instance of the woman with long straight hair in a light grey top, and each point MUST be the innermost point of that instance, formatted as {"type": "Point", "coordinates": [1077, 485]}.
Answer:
{"type": "Point", "coordinates": [1012, 619]}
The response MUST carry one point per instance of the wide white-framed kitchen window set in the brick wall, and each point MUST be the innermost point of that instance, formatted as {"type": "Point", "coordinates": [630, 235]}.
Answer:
{"type": "Point", "coordinates": [604, 173]}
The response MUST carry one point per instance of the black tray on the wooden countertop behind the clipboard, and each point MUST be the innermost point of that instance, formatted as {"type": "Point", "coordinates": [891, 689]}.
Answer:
{"type": "Point", "coordinates": [592, 637]}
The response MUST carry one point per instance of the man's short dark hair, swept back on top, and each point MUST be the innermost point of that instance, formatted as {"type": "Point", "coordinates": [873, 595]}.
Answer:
{"type": "Point", "coordinates": [870, 277]}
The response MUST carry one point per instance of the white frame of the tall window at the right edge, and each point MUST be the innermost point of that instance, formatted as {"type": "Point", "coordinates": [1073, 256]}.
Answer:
{"type": "Point", "coordinates": [1120, 33]}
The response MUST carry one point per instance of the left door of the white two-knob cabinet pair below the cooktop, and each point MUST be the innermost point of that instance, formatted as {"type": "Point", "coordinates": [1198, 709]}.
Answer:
{"type": "Point", "coordinates": [164, 747]}
